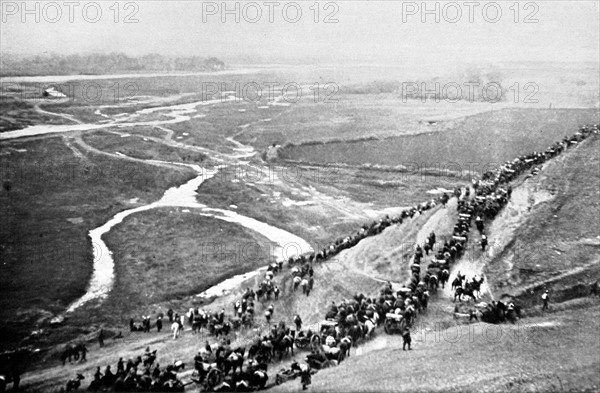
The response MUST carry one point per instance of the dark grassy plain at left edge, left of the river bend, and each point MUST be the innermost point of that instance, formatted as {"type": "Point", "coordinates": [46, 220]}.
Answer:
{"type": "Point", "coordinates": [46, 259]}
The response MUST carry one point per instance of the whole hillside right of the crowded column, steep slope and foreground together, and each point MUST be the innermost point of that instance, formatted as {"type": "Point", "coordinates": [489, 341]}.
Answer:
{"type": "Point", "coordinates": [556, 212]}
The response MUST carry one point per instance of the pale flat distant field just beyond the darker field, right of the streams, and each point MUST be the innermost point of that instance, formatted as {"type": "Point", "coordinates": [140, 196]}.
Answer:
{"type": "Point", "coordinates": [358, 116]}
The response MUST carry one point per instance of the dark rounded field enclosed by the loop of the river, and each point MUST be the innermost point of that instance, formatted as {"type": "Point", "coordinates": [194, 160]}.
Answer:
{"type": "Point", "coordinates": [172, 253]}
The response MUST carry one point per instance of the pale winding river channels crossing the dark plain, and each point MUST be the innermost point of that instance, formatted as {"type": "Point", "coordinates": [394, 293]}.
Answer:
{"type": "Point", "coordinates": [102, 281]}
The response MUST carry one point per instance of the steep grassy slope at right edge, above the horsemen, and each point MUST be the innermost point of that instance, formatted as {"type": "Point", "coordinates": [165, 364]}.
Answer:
{"type": "Point", "coordinates": [558, 228]}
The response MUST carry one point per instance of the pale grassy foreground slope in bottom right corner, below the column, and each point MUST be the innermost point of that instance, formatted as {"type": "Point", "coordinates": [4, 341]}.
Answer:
{"type": "Point", "coordinates": [556, 353]}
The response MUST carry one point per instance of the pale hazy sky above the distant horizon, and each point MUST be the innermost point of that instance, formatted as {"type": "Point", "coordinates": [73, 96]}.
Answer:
{"type": "Point", "coordinates": [376, 31]}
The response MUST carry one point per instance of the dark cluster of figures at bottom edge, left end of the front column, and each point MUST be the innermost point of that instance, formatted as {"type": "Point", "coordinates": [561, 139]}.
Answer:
{"type": "Point", "coordinates": [141, 374]}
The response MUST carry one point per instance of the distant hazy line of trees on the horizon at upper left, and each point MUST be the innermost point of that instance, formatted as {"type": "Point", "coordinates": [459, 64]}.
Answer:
{"type": "Point", "coordinates": [56, 64]}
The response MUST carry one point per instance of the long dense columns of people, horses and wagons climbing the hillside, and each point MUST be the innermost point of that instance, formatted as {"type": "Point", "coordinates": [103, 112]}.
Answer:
{"type": "Point", "coordinates": [219, 367]}
